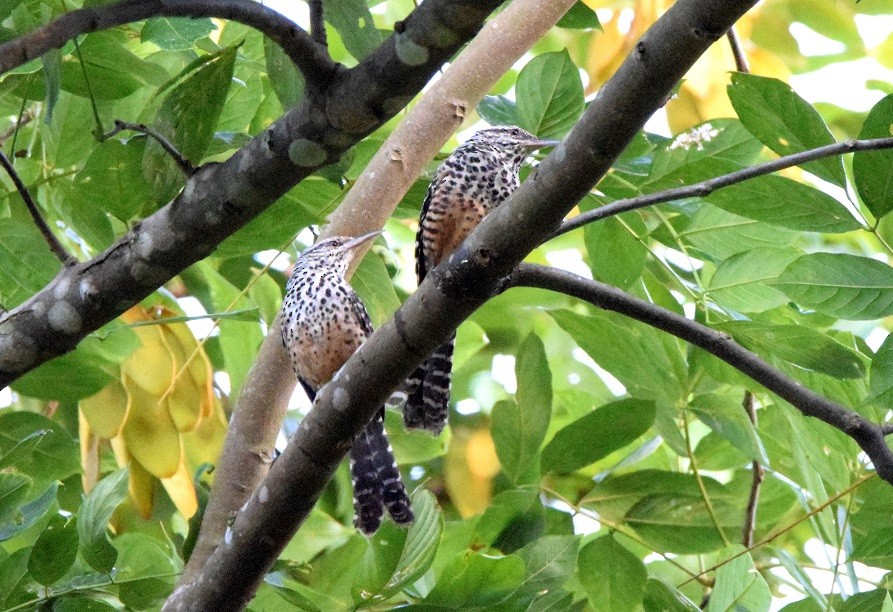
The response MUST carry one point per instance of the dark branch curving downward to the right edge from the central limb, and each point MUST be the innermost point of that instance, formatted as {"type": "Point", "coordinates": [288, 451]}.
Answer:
{"type": "Point", "coordinates": [868, 435]}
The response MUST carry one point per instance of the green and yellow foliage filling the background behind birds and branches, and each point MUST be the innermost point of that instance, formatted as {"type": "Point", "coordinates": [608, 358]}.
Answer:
{"type": "Point", "coordinates": [592, 461]}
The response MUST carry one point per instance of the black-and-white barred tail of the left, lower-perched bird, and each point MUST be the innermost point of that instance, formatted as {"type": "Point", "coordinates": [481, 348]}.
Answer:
{"type": "Point", "coordinates": [376, 480]}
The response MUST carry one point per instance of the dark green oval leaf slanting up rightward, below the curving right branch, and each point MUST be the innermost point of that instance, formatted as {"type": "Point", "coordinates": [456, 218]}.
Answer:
{"type": "Point", "coordinates": [597, 435]}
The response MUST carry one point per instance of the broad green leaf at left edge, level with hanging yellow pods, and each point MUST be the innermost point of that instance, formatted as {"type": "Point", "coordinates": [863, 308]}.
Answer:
{"type": "Point", "coordinates": [54, 456]}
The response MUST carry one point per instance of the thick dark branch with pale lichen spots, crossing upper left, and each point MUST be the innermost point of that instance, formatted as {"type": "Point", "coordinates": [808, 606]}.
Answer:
{"type": "Point", "coordinates": [220, 198]}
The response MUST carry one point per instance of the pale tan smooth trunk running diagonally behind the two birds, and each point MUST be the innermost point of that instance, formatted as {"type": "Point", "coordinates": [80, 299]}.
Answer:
{"type": "Point", "coordinates": [370, 202]}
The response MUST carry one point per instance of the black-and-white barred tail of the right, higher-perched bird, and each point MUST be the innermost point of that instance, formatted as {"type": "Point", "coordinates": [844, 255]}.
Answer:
{"type": "Point", "coordinates": [429, 400]}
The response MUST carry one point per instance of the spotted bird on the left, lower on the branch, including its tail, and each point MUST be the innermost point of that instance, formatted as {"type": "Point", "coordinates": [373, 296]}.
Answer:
{"type": "Point", "coordinates": [323, 323]}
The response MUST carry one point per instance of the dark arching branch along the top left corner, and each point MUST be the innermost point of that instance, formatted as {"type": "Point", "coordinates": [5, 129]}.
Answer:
{"type": "Point", "coordinates": [311, 58]}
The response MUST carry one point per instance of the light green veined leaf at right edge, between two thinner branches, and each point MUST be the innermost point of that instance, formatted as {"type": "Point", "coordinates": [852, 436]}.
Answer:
{"type": "Point", "coordinates": [841, 285]}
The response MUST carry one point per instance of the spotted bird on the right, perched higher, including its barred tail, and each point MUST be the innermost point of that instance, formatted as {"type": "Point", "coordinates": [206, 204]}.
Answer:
{"type": "Point", "coordinates": [476, 178]}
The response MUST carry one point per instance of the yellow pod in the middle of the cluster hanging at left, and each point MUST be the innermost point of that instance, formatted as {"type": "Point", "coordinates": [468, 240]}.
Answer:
{"type": "Point", "coordinates": [149, 433]}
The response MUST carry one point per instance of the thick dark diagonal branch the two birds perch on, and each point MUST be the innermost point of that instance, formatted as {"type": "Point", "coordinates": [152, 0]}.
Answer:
{"type": "Point", "coordinates": [450, 293]}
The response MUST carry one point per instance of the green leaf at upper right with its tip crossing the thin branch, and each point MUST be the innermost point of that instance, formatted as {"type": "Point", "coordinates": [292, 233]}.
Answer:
{"type": "Point", "coordinates": [784, 122]}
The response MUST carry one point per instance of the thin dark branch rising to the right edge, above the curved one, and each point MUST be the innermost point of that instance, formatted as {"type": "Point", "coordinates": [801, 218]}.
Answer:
{"type": "Point", "coordinates": [707, 187]}
